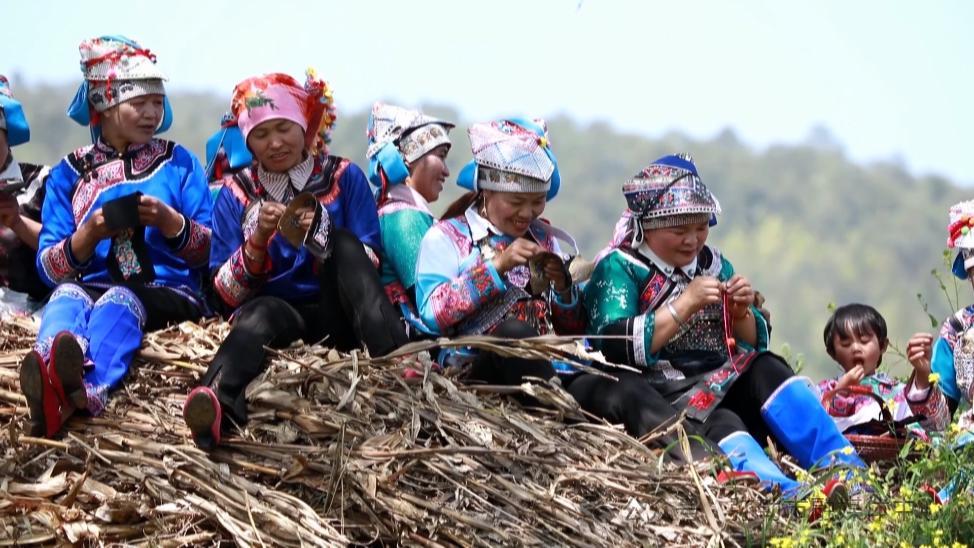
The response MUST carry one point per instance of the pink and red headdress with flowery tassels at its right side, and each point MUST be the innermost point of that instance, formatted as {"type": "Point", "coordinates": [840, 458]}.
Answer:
{"type": "Point", "coordinates": [277, 96]}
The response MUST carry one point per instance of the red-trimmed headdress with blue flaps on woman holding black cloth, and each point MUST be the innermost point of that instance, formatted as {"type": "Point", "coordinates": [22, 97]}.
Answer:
{"type": "Point", "coordinates": [116, 69]}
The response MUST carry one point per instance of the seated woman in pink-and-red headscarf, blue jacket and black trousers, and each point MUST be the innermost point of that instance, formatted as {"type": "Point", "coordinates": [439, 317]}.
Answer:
{"type": "Point", "coordinates": [325, 285]}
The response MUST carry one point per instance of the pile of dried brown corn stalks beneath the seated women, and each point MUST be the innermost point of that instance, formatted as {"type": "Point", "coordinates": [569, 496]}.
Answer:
{"type": "Point", "coordinates": [340, 450]}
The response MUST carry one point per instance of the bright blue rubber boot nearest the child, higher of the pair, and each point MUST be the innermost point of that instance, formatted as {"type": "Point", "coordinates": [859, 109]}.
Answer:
{"type": "Point", "coordinates": [797, 419]}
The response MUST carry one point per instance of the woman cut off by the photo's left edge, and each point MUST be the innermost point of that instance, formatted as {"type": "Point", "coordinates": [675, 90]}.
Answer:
{"type": "Point", "coordinates": [20, 211]}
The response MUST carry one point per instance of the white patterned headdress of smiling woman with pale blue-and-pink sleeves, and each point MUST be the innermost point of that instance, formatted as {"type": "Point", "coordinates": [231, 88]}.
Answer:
{"type": "Point", "coordinates": [511, 155]}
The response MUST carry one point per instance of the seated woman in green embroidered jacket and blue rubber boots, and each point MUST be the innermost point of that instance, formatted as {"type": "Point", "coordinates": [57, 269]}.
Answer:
{"type": "Point", "coordinates": [688, 320]}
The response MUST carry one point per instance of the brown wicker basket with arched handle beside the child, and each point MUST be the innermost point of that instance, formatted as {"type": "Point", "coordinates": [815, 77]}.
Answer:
{"type": "Point", "coordinates": [886, 438]}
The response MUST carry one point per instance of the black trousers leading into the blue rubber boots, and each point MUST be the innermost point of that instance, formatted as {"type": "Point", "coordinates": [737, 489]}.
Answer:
{"type": "Point", "coordinates": [634, 402]}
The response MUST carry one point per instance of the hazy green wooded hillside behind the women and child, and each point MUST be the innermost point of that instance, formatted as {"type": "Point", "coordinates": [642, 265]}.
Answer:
{"type": "Point", "coordinates": [807, 225]}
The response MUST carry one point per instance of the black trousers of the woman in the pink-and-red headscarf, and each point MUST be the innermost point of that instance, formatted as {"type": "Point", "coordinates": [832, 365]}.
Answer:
{"type": "Point", "coordinates": [352, 309]}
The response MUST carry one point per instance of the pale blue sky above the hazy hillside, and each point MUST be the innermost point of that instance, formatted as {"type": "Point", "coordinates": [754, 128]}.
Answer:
{"type": "Point", "coordinates": [888, 78]}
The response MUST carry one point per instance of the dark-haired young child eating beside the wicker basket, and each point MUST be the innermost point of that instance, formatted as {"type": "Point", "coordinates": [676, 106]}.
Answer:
{"type": "Point", "coordinates": [856, 338]}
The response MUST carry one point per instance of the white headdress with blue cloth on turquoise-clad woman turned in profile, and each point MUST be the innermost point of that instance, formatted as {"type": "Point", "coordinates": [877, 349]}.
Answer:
{"type": "Point", "coordinates": [398, 135]}
